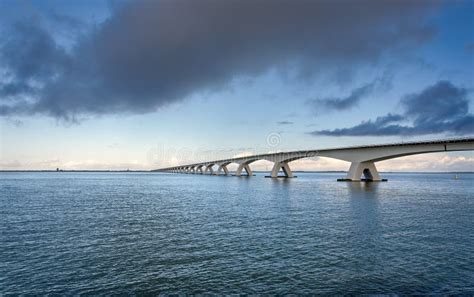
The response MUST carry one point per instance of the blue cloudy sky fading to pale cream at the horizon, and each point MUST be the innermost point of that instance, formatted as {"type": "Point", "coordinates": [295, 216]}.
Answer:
{"type": "Point", "coordinates": [149, 84]}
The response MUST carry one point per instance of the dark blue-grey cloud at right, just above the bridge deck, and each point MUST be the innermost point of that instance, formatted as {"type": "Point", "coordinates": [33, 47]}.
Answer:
{"type": "Point", "coordinates": [440, 108]}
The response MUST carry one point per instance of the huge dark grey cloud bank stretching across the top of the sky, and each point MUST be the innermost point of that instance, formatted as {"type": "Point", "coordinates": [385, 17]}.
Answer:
{"type": "Point", "coordinates": [152, 53]}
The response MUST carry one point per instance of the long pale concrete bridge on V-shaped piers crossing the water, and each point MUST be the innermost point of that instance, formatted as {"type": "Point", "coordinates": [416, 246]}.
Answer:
{"type": "Point", "coordinates": [362, 158]}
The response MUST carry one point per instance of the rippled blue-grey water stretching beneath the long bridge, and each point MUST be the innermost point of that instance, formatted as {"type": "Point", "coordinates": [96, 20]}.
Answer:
{"type": "Point", "coordinates": [103, 233]}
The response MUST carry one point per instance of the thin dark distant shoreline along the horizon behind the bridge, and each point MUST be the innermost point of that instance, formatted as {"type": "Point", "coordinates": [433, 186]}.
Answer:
{"type": "Point", "coordinates": [256, 171]}
